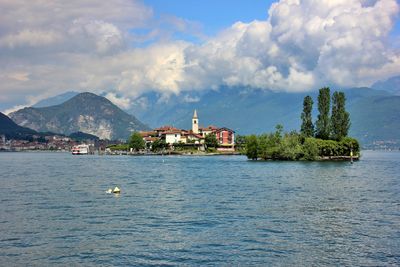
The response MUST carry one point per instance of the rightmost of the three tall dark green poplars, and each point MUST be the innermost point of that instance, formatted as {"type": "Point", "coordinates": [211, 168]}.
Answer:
{"type": "Point", "coordinates": [340, 117]}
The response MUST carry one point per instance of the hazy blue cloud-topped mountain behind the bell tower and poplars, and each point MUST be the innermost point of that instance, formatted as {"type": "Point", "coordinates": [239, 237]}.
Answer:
{"type": "Point", "coordinates": [374, 113]}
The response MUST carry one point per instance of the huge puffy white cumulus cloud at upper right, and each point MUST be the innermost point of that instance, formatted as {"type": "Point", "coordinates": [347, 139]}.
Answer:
{"type": "Point", "coordinates": [303, 44]}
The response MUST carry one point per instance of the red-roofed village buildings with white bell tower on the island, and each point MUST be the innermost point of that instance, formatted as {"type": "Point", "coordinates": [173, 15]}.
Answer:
{"type": "Point", "coordinates": [194, 137]}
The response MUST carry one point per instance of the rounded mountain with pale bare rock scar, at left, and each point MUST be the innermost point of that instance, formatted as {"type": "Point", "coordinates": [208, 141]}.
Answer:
{"type": "Point", "coordinates": [85, 112]}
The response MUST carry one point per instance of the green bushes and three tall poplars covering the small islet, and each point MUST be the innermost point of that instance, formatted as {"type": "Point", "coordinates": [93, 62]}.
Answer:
{"type": "Point", "coordinates": [326, 139]}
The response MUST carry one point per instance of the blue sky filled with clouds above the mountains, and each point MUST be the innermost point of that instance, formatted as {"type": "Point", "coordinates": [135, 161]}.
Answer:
{"type": "Point", "coordinates": [124, 48]}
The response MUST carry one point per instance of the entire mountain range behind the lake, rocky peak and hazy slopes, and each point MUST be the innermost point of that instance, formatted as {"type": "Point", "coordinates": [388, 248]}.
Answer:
{"type": "Point", "coordinates": [374, 112]}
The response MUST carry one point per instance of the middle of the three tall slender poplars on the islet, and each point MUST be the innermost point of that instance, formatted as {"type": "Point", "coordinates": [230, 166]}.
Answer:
{"type": "Point", "coordinates": [323, 125]}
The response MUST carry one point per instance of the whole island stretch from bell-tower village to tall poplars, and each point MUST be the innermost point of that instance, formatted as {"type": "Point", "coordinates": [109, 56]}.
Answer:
{"type": "Point", "coordinates": [326, 139]}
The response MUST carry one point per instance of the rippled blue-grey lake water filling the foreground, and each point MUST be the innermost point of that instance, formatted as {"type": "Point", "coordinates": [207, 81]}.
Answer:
{"type": "Point", "coordinates": [177, 210]}
